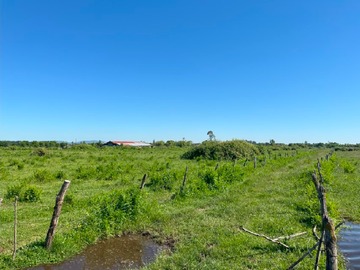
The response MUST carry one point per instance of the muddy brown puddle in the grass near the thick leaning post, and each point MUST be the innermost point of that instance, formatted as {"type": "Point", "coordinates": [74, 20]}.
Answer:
{"type": "Point", "coordinates": [125, 252]}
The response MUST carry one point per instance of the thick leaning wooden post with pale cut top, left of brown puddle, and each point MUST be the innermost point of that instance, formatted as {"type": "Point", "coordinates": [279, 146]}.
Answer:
{"type": "Point", "coordinates": [56, 214]}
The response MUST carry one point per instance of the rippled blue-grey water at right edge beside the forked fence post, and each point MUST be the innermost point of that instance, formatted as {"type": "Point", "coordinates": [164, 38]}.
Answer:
{"type": "Point", "coordinates": [349, 245]}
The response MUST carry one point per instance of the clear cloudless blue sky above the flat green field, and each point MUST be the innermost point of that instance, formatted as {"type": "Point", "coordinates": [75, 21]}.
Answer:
{"type": "Point", "coordinates": [168, 70]}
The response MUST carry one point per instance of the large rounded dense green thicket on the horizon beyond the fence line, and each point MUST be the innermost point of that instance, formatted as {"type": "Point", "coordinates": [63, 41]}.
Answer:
{"type": "Point", "coordinates": [227, 150]}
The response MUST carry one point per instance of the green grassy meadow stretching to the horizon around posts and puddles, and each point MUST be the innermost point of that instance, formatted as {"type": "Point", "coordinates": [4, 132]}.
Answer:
{"type": "Point", "coordinates": [201, 221]}
